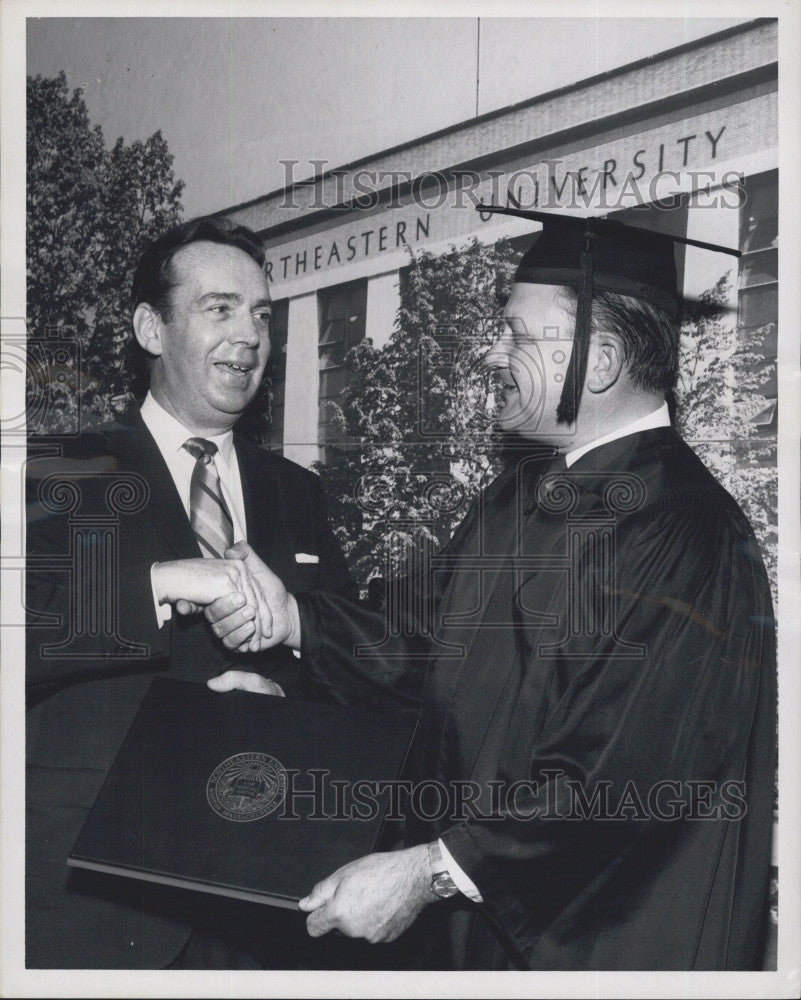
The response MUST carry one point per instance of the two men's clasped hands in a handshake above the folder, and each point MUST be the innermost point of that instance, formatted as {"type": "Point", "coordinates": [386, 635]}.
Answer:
{"type": "Point", "coordinates": [246, 604]}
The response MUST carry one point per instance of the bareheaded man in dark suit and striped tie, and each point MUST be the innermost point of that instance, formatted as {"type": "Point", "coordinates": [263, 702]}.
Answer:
{"type": "Point", "coordinates": [121, 523]}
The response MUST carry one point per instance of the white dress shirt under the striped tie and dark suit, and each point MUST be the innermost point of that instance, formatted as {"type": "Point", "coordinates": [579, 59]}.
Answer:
{"type": "Point", "coordinates": [170, 435]}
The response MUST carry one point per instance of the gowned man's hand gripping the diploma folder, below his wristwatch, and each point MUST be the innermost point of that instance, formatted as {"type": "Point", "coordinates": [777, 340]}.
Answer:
{"type": "Point", "coordinates": [376, 897]}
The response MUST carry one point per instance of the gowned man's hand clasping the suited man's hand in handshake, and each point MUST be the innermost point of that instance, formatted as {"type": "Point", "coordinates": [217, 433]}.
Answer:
{"type": "Point", "coordinates": [277, 620]}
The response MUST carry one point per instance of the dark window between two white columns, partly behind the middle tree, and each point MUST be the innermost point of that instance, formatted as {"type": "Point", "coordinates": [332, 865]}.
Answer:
{"type": "Point", "coordinates": [342, 325]}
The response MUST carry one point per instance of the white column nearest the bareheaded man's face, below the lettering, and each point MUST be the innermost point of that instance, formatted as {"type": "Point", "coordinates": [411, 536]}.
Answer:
{"type": "Point", "coordinates": [302, 381]}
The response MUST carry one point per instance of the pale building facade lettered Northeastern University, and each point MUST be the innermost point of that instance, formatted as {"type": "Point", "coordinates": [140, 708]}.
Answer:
{"type": "Point", "coordinates": [684, 142]}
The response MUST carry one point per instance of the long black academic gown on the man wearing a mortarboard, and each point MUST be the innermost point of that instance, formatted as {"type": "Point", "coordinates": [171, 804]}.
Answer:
{"type": "Point", "coordinates": [615, 658]}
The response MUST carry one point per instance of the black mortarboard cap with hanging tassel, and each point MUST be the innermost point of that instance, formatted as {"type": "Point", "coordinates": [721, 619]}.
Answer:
{"type": "Point", "coordinates": [597, 254]}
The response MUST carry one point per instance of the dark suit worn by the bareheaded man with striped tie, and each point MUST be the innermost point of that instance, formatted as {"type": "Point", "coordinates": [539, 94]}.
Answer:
{"type": "Point", "coordinates": [102, 508]}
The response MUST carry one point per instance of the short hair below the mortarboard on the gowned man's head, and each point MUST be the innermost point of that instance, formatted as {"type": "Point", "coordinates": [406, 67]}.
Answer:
{"type": "Point", "coordinates": [649, 334]}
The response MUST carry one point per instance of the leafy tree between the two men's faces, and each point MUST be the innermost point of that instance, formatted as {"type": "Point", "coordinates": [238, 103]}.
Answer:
{"type": "Point", "coordinates": [416, 412]}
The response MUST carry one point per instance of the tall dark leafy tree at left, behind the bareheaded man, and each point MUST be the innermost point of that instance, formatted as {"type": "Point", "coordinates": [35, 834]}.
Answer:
{"type": "Point", "coordinates": [90, 211]}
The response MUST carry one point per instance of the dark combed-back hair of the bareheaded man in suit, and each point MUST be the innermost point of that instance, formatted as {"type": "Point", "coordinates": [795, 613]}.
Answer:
{"type": "Point", "coordinates": [153, 278]}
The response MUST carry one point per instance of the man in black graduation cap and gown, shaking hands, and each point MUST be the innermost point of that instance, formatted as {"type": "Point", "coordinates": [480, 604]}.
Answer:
{"type": "Point", "coordinates": [597, 706]}
